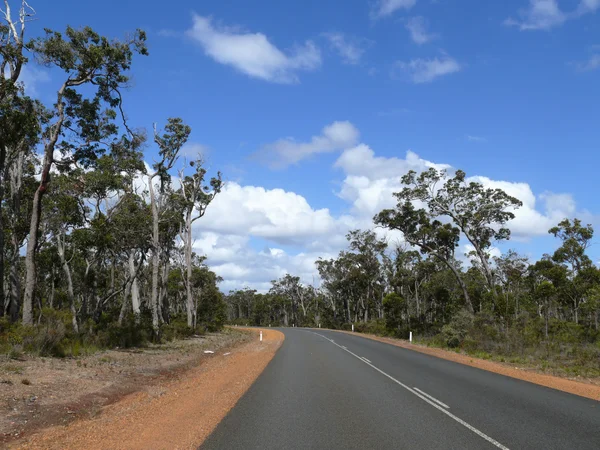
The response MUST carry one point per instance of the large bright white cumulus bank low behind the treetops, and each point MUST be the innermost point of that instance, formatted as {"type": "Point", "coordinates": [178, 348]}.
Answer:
{"type": "Point", "coordinates": [253, 235]}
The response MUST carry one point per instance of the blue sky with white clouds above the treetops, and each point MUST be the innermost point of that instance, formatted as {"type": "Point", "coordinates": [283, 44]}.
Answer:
{"type": "Point", "coordinates": [310, 107]}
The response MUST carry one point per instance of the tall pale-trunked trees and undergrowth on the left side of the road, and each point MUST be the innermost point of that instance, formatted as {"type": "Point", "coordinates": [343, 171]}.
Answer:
{"type": "Point", "coordinates": [95, 245]}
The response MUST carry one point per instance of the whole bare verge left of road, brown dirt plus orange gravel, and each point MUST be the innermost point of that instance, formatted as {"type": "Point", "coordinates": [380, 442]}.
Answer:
{"type": "Point", "coordinates": [122, 389]}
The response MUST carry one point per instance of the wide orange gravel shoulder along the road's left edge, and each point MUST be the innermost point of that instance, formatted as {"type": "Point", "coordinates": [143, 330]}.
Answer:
{"type": "Point", "coordinates": [178, 415]}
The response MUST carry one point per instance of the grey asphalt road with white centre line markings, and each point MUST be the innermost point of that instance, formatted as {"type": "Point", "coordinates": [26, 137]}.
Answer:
{"type": "Point", "coordinates": [328, 390]}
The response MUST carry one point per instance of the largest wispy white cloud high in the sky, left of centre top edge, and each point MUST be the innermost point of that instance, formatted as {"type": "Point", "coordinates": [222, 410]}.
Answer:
{"type": "Point", "coordinates": [253, 53]}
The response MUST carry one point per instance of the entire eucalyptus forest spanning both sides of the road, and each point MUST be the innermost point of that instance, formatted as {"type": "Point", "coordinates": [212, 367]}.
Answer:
{"type": "Point", "coordinates": [96, 246]}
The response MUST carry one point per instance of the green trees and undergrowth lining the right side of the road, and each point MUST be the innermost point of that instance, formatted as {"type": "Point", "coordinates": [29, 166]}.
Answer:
{"type": "Point", "coordinates": [542, 313]}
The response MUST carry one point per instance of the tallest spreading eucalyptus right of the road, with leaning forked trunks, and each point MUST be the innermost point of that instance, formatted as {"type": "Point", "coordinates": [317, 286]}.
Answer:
{"type": "Point", "coordinates": [451, 206]}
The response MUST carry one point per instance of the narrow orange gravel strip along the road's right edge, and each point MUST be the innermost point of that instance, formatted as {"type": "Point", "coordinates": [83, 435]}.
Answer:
{"type": "Point", "coordinates": [562, 384]}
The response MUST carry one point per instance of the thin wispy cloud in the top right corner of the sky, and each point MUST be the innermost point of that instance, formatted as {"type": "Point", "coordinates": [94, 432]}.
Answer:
{"type": "Point", "coordinates": [547, 14]}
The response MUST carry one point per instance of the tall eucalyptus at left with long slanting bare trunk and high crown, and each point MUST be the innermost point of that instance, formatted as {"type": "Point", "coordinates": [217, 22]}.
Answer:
{"type": "Point", "coordinates": [77, 124]}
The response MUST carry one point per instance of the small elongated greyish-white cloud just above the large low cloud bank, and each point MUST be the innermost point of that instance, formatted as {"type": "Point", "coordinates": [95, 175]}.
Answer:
{"type": "Point", "coordinates": [284, 152]}
